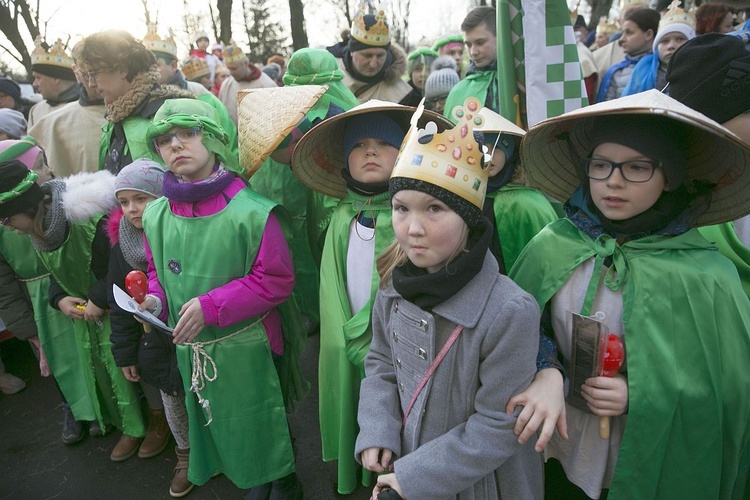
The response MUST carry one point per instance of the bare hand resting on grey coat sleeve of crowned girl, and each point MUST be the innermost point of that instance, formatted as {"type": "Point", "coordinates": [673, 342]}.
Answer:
{"type": "Point", "coordinates": [543, 405]}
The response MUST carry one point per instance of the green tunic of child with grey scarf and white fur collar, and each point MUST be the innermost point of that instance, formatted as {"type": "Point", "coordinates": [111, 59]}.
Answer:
{"type": "Point", "coordinates": [114, 398]}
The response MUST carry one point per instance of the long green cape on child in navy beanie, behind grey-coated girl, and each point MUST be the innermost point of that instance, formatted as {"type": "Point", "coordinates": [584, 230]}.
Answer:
{"type": "Point", "coordinates": [345, 337]}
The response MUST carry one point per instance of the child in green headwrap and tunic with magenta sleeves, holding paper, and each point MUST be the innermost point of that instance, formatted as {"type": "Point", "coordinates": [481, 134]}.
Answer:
{"type": "Point", "coordinates": [221, 274]}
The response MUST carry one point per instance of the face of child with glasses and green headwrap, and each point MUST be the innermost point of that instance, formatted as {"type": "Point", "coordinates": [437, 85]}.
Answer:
{"type": "Point", "coordinates": [185, 155]}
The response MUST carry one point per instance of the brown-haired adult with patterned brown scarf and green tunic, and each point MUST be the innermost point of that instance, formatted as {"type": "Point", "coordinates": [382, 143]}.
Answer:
{"type": "Point", "coordinates": [126, 75]}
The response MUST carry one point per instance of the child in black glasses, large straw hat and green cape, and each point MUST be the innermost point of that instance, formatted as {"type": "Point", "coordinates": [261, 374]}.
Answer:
{"type": "Point", "coordinates": [629, 254]}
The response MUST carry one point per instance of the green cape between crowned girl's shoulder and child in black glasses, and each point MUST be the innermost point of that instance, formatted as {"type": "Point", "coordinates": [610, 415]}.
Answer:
{"type": "Point", "coordinates": [520, 213]}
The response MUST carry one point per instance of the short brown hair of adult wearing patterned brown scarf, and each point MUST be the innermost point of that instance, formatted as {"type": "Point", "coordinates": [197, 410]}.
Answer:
{"type": "Point", "coordinates": [114, 49]}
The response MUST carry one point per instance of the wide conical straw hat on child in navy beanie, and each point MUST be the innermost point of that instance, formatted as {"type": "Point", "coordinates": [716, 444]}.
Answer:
{"type": "Point", "coordinates": [319, 155]}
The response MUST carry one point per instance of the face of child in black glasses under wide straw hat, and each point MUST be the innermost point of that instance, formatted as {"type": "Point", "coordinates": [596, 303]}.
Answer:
{"type": "Point", "coordinates": [617, 198]}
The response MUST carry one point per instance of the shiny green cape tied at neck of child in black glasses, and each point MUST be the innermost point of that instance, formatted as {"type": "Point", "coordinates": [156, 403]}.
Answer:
{"type": "Point", "coordinates": [686, 322]}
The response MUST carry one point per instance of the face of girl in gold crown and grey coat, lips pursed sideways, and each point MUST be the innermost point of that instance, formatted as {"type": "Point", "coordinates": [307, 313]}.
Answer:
{"type": "Point", "coordinates": [427, 230]}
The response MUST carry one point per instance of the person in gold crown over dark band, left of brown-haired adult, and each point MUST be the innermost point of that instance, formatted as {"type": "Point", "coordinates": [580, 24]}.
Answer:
{"type": "Point", "coordinates": [53, 78]}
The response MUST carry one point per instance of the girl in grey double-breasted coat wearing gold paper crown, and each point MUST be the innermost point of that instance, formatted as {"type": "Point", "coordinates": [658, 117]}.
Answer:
{"type": "Point", "coordinates": [452, 337]}
